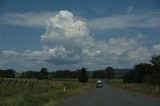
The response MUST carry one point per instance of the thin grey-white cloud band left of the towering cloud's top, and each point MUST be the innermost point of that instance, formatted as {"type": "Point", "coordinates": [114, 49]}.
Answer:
{"type": "Point", "coordinates": [28, 19]}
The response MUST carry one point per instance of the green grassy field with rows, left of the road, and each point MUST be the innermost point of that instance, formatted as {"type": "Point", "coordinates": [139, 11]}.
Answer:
{"type": "Point", "coordinates": [27, 92]}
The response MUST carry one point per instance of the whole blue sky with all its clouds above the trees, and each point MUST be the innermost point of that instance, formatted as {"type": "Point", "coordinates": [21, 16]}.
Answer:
{"type": "Point", "coordinates": [70, 34]}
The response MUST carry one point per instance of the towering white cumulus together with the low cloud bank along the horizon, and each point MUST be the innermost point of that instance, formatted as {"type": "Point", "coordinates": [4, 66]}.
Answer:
{"type": "Point", "coordinates": [67, 43]}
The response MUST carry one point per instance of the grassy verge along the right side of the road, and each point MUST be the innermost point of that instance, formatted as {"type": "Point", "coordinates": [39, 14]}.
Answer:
{"type": "Point", "coordinates": [144, 89]}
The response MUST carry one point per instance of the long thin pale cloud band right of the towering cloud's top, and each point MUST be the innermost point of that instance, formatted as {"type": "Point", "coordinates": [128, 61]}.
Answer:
{"type": "Point", "coordinates": [125, 21]}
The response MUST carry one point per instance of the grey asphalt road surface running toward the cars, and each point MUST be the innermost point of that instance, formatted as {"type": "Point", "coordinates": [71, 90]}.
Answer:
{"type": "Point", "coordinates": [110, 96]}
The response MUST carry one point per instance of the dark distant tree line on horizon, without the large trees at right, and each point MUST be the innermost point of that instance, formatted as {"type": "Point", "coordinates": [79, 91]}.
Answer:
{"type": "Point", "coordinates": [82, 74]}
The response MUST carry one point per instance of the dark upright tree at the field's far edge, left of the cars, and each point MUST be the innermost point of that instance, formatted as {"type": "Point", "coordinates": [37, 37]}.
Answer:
{"type": "Point", "coordinates": [83, 75]}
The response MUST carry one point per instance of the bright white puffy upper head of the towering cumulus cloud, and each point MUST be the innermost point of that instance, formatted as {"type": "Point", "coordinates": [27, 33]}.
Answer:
{"type": "Point", "coordinates": [65, 30]}
